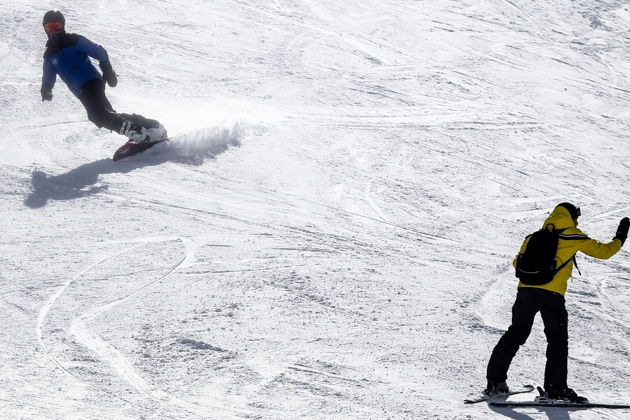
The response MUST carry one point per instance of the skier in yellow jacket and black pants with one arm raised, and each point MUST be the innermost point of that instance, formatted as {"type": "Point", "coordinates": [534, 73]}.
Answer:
{"type": "Point", "coordinates": [548, 299]}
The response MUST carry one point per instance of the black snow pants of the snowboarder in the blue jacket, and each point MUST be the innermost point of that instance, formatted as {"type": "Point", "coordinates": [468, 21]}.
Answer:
{"type": "Point", "coordinates": [101, 112]}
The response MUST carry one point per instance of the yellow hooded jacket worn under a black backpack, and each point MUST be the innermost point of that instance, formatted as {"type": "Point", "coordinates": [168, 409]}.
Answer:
{"type": "Point", "coordinates": [571, 240]}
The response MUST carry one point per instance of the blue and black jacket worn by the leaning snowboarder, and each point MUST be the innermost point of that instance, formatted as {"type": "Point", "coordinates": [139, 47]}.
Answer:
{"type": "Point", "coordinates": [68, 57]}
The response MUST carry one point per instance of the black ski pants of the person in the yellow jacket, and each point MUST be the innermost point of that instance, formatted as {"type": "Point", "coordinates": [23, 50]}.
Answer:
{"type": "Point", "coordinates": [551, 305]}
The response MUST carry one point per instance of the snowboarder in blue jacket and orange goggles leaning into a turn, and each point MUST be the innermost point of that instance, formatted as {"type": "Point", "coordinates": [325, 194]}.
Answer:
{"type": "Point", "coordinates": [68, 55]}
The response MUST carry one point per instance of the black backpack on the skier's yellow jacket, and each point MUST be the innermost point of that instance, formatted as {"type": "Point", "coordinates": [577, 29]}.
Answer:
{"type": "Point", "coordinates": [537, 265]}
